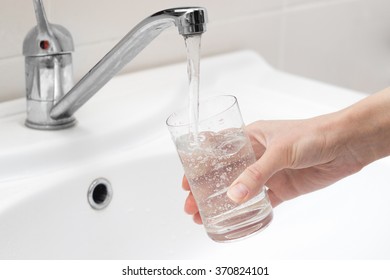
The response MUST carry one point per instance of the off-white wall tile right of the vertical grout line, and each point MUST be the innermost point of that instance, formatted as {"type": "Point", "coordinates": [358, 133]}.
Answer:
{"type": "Point", "coordinates": [345, 43]}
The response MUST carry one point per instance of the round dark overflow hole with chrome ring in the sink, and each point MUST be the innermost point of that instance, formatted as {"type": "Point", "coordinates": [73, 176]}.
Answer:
{"type": "Point", "coordinates": [99, 193]}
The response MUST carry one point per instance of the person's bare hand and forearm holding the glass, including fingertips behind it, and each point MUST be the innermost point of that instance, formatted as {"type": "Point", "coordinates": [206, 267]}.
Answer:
{"type": "Point", "coordinates": [296, 157]}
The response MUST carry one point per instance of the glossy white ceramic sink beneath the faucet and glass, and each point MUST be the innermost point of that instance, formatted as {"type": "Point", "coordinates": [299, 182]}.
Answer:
{"type": "Point", "coordinates": [121, 136]}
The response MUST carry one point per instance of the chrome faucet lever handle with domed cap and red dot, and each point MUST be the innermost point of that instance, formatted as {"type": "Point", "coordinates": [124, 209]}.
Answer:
{"type": "Point", "coordinates": [46, 38]}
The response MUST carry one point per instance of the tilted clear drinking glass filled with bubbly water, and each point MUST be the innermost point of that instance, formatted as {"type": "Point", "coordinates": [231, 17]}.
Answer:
{"type": "Point", "coordinates": [212, 160]}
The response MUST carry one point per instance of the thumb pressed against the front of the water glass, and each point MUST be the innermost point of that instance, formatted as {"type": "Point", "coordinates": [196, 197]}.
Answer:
{"type": "Point", "coordinates": [254, 177]}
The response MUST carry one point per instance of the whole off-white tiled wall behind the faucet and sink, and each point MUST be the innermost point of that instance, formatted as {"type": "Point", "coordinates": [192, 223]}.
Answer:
{"type": "Point", "coordinates": [345, 42]}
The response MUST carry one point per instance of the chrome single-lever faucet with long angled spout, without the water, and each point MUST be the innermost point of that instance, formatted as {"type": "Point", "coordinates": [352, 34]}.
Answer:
{"type": "Point", "coordinates": [52, 98]}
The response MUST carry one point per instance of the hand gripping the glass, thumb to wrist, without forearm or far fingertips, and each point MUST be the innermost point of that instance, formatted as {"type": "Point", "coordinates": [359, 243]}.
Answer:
{"type": "Point", "coordinates": [295, 157]}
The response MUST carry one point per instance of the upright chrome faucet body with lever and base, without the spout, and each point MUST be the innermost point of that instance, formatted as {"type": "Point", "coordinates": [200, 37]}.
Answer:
{"type": "Point", "coordinates": [48, 69]}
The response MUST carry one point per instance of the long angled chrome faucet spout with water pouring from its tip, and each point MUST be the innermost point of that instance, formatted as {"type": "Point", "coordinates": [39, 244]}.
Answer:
{"type": "Point", "coordinates": [189, 21]}
